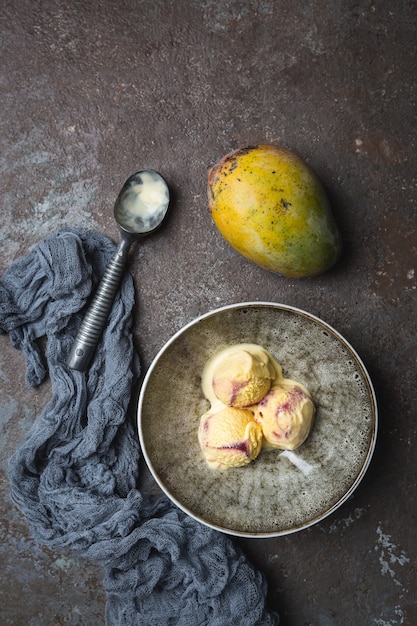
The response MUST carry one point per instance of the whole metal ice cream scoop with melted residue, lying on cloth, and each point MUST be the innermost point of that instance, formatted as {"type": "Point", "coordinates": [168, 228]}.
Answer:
{"type": "Point", "coordinates": [139, 210]}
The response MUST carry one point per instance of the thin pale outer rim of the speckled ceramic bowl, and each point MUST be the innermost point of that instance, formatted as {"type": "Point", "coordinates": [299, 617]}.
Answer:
{"type": "Point", "coordinates": [370, 449]}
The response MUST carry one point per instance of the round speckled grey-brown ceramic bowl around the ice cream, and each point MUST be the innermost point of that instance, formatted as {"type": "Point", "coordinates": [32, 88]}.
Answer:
{"type": "Point", "coordinates": [279, 492]}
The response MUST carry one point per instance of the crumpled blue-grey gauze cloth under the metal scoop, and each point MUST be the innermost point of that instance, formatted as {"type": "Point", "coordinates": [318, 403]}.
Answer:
{"type": "Point", "coordinates": [75, 477]}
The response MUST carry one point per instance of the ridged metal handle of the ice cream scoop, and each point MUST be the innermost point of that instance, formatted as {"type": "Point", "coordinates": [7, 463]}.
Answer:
{"type": "Point", "coordinates": [97, 314]}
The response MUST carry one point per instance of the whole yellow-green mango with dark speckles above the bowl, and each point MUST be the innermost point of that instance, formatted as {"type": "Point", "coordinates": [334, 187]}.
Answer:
{"type": "Point", "coordinates": [271, 207]}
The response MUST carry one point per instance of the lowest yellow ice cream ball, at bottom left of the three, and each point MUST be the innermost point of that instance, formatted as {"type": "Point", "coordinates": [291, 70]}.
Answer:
{"type": "Point", "coordinates": [229, 437]}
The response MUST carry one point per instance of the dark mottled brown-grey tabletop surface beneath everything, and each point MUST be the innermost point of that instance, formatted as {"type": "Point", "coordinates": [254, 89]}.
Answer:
{"type": "Point", "coordinates": [92, 91]}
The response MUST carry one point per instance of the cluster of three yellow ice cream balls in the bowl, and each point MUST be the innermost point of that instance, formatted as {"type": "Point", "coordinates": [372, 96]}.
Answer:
{"type": "Point", "coordinates": [252, 405]}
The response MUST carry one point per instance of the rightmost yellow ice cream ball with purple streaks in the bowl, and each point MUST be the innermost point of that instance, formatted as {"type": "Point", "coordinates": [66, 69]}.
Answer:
{"type": "Point", "coordinates": [285, 415]}
